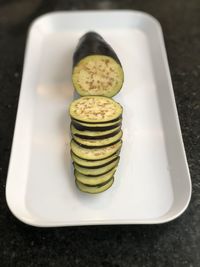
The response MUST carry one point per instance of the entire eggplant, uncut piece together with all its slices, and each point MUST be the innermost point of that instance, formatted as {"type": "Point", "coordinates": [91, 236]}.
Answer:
{"type": "Point", "coordinates": [95, 117]}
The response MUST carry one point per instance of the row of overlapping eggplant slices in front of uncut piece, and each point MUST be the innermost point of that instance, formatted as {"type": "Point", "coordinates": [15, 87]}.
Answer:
{"type": "Point", "coordinates": [96, 141]}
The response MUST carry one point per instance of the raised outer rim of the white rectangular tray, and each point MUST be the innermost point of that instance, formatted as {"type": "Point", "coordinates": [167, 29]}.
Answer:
{"type": "Point", "coordinates": [159, 220]}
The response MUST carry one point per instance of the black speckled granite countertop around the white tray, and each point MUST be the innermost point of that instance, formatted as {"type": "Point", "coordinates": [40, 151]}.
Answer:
{"type": "Point", "coordinates": [172, 244]}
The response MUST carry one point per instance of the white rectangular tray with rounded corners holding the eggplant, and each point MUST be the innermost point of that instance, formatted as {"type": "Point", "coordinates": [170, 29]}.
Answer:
{"type": "Point", "coordinates": [152, 183]}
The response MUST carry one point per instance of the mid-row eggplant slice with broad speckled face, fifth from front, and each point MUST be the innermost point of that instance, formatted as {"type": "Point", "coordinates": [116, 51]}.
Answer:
{"type": "Point", "coordinates": [95, 153]}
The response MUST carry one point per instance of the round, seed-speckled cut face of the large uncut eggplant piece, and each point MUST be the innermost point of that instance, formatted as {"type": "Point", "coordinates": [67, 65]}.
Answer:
{"type": "Point", "coordinates": [97, 75]}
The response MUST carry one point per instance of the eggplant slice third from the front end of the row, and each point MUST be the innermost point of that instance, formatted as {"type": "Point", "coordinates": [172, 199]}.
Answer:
{"type": "Point", "coordinates": [98, 170]}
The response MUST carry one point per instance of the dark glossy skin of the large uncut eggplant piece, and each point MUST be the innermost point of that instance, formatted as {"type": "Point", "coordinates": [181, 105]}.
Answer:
{"type": "Point", "coordinates": [93, 43]}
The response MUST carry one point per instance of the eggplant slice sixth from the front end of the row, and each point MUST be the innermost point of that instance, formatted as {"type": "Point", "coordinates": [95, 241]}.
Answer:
{"type": "Point", "coordinates": [98, 143]}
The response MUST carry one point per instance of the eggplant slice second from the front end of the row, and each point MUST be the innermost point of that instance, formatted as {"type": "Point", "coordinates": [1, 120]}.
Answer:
{"type": "Point", "coordinates": [88, 180]}
